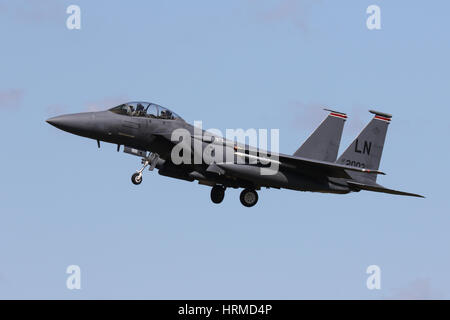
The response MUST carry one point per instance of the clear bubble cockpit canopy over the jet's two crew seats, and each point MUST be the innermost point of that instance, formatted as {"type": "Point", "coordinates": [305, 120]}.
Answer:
{"type": "Point", "coordinates": [145, 109]}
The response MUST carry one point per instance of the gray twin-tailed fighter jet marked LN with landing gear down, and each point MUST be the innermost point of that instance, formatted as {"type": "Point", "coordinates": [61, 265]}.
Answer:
{"type": "Point", "coordinates": [145, 130]}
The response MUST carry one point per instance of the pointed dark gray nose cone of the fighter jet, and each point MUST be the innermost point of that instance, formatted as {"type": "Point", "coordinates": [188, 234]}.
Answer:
{"type": "Point", "coordinates": [77, 123]}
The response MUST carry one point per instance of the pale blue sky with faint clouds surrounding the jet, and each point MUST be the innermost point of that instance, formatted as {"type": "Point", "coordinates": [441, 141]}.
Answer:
{"type": "Point", "coordinates": [233, 64]}
